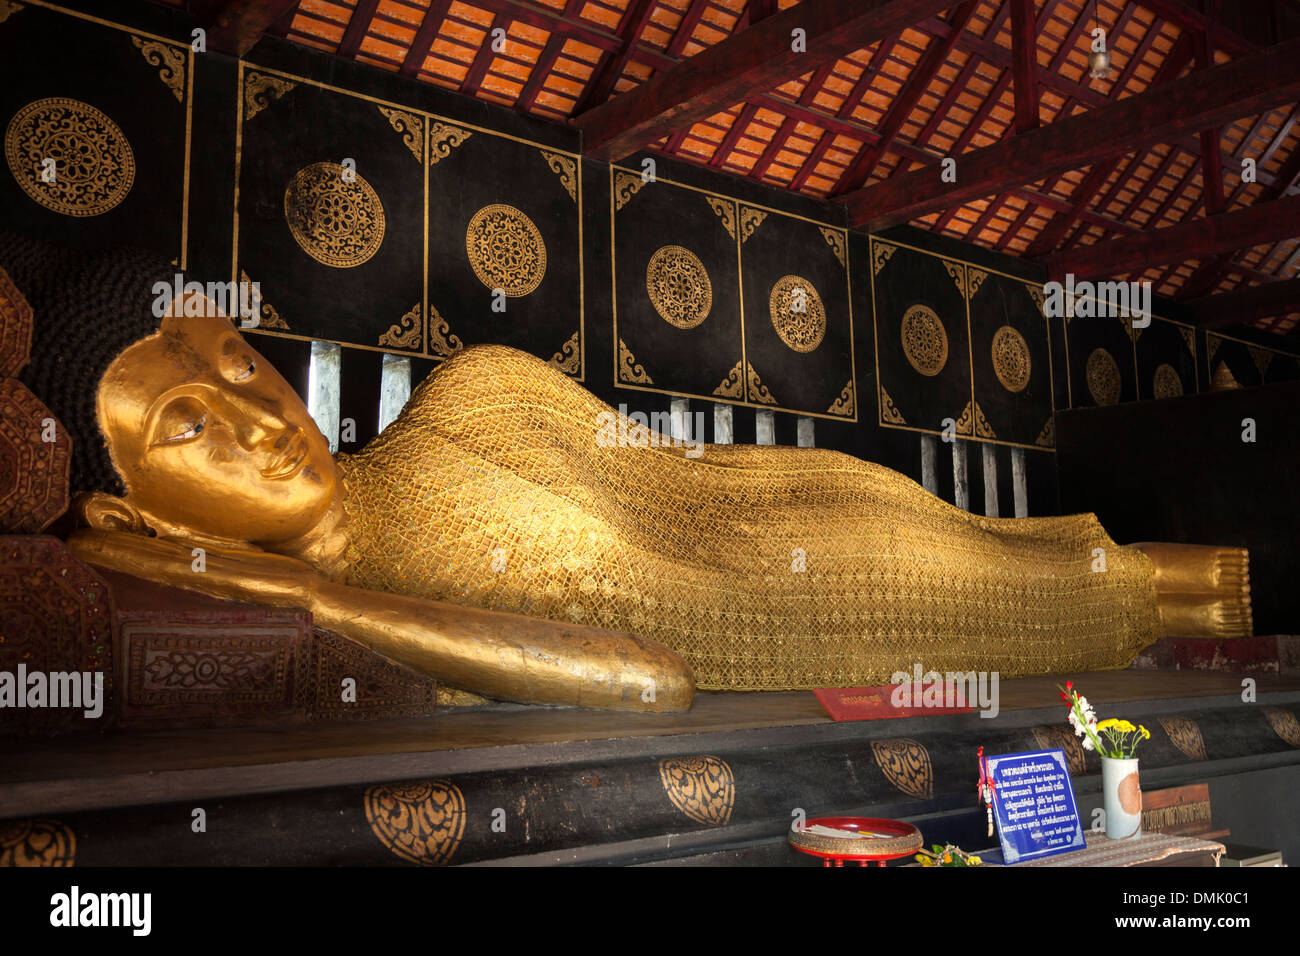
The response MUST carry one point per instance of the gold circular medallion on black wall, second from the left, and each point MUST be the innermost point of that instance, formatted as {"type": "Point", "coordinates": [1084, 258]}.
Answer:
{"type": "Point", "coordinates": [335, 215]}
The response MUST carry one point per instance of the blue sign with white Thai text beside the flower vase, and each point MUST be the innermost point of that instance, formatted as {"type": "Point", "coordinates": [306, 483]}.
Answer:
{"type": "Point", "coordinates": [1034, 804]}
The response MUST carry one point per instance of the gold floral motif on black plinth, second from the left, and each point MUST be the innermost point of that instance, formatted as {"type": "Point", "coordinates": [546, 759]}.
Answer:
{"type": "Point", "coordinates": [422, 823]}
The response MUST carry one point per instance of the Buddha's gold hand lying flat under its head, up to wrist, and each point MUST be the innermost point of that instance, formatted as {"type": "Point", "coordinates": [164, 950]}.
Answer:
{"type": "Point", "coordinates": [236, 576]}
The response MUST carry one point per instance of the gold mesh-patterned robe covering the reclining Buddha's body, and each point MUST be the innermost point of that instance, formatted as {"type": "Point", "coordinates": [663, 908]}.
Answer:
{"type": "Point", "coordinates": [491, 490]}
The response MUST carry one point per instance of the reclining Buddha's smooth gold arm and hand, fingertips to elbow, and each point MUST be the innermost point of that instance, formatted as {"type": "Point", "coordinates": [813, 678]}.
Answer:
{"type": "Point", "coordinates": [493, 654]}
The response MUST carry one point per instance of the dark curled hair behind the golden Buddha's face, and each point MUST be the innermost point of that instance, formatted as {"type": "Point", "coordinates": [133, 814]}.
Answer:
{"type": "Point", "coordinates": [88, 306]}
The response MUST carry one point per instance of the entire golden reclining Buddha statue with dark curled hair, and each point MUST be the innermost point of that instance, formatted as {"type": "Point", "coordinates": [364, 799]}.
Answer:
{"type": "Point", "coordinates": [488, 538]}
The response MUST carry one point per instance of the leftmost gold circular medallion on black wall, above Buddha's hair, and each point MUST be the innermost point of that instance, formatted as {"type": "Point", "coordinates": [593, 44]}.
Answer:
{"type": "Point", "coordinates": [93, 166]}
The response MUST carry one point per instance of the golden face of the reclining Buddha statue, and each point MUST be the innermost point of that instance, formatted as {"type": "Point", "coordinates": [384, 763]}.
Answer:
{"type": "Point", "coordinates": [211, 439]}
